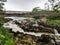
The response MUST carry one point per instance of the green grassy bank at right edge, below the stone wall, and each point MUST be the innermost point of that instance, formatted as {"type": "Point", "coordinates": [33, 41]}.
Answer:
{"type": "Point", "coordinates": [53, 20]}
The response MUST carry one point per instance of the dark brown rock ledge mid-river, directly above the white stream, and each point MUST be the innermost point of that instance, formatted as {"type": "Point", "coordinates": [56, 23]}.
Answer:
{"type": "Point", "coordinates": [35, 26]}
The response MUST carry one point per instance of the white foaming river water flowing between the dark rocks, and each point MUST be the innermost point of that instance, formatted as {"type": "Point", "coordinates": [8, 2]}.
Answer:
{"type": "Point", "coordinates": [16, 28]}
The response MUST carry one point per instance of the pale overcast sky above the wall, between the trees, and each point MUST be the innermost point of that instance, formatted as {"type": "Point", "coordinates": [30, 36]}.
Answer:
{"type": "Point", "coordinates": [24, 5]}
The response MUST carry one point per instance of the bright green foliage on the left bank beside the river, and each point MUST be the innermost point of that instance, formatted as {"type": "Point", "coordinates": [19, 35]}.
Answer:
{"type": "Point", "coordinates": [5, 37]}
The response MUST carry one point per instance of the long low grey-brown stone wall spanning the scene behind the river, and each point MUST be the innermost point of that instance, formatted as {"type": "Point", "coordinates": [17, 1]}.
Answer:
{"type": "Point", "coordinates": [31, 14]}
